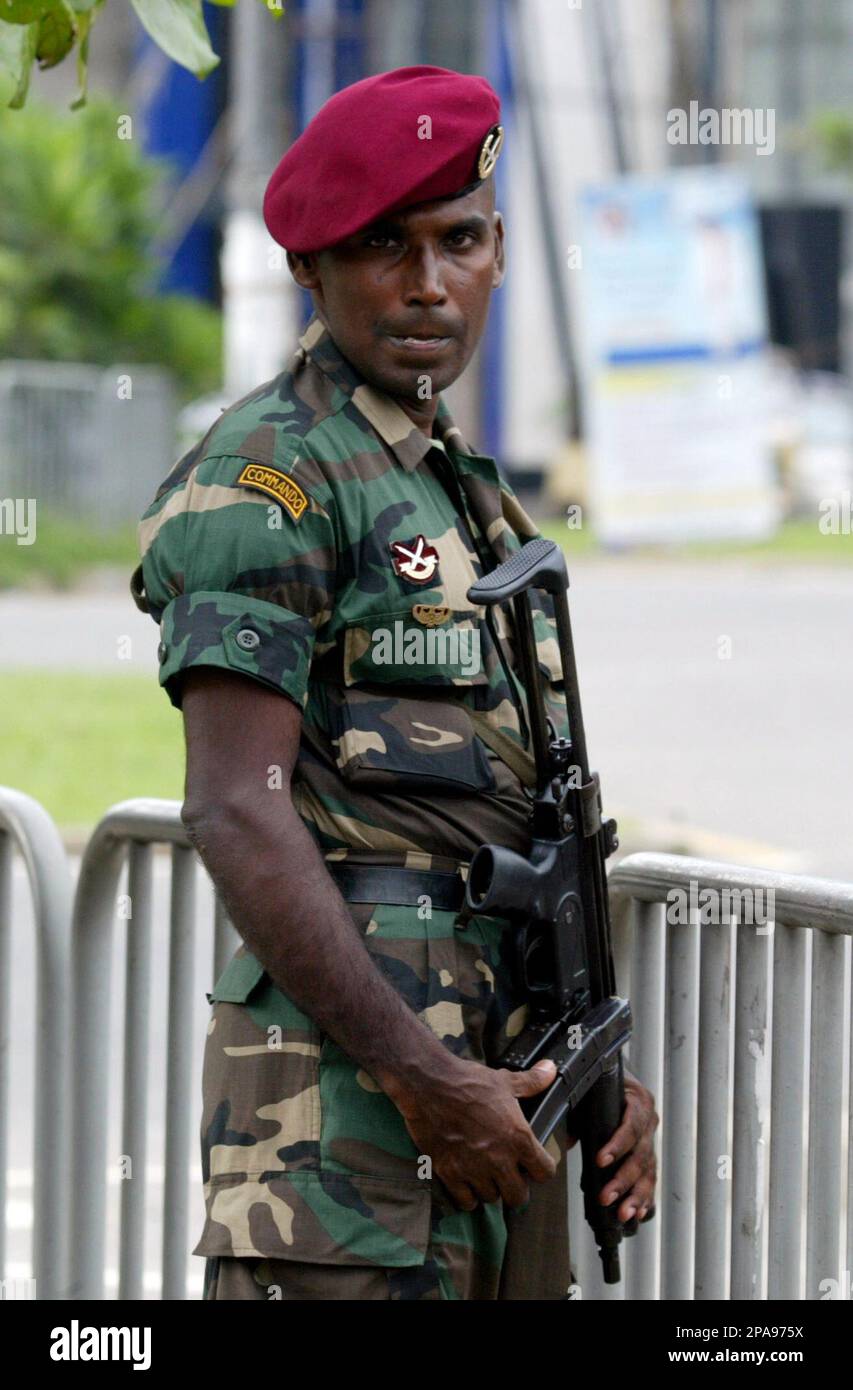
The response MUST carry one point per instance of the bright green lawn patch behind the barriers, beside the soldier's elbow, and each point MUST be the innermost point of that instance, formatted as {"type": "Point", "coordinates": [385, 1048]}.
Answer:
{"type": "Point", "coordinates": [80, 743]}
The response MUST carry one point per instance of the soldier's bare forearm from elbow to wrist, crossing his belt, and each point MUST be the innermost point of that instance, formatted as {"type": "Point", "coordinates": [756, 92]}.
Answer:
{"type": "Point", "coordinates": [297, 924]}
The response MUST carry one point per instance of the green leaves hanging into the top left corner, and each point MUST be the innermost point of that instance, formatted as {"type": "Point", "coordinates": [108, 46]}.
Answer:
{"type": "Point", "coordinates": [48, 31]}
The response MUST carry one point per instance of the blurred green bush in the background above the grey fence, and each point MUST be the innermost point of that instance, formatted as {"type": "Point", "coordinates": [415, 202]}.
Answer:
{"type": "Point", "coordinates": [78, 216]}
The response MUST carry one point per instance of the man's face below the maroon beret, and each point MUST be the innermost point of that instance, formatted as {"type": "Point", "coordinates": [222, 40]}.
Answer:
{"type": "Point", "coordinates": [408, 297]}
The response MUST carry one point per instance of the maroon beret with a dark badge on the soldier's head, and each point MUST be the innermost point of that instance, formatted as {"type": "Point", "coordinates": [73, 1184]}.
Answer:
{"type": "Point", "coordinates": [366, 154]}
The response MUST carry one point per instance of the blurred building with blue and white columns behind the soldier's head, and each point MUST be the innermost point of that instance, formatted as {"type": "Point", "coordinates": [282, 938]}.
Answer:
{"type": "Point", "coordinates": [586, 87]}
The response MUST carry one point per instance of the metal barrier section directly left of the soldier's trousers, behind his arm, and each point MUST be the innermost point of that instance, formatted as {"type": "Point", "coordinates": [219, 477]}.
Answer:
{"type": "Point", "coordinates": [133, 829]}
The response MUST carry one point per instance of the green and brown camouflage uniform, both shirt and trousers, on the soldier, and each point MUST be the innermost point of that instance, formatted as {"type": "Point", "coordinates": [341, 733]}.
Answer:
{"type": "Point", "coordinates": [319, 543]}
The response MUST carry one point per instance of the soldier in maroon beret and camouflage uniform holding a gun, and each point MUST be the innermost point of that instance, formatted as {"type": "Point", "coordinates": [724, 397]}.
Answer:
{"type": "Point", "coordinates": [361, 1139]}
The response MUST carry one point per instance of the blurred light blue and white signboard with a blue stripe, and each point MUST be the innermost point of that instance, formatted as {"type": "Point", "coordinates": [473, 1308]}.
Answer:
{"type": "Point", "coordinates": [673, 355]}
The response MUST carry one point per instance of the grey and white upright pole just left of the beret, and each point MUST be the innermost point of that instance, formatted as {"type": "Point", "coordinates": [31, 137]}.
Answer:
{"type": "Point", "coordinates": [260, 302]}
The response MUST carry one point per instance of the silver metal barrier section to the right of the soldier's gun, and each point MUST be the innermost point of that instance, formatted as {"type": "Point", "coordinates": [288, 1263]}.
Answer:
{"type": "Point", "coordinates": [743, 1032]}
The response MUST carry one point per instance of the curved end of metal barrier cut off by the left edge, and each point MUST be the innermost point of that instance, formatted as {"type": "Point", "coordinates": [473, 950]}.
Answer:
{"type": "Point", "coordinates": [26, 825]}
